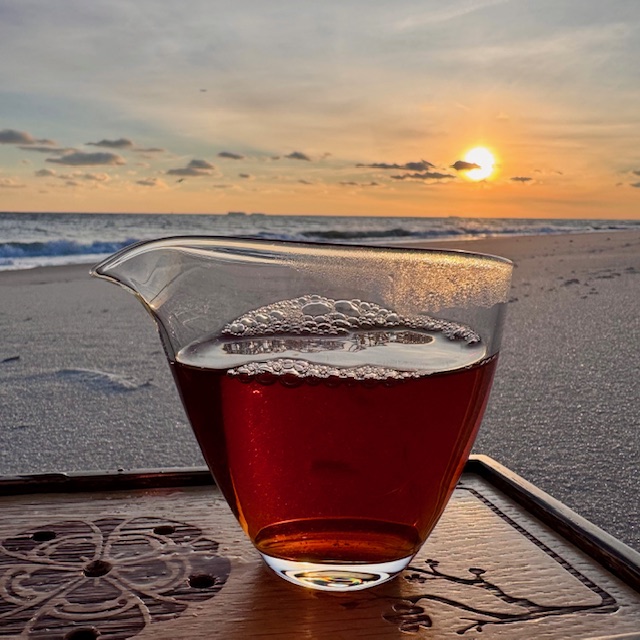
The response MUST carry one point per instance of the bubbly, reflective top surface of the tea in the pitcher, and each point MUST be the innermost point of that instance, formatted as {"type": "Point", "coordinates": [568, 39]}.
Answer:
{"type": "Point", "coordinates": [314, 336]}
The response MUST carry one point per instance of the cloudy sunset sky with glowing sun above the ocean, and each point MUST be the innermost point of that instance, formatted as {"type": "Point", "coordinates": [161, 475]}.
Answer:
{"type": "Point", "coordinates": [346, 107]}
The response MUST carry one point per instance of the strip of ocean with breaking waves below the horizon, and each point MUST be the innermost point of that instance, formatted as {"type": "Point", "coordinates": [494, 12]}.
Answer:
{"type": "Point", "coordinates": [30, 240]}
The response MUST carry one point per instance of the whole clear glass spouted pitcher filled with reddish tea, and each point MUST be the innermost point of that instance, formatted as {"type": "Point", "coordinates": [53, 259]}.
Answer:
{"type": "Point", "coordinates": [335, 390]}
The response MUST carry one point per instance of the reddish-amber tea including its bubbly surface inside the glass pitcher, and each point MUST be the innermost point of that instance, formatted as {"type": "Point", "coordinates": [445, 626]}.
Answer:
{"type": "Point", "coordinates": [323, 456]}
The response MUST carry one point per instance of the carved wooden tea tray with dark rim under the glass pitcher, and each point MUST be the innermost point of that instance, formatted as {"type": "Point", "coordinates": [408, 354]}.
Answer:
{"type": "Point", "coordinates": [159, 555]}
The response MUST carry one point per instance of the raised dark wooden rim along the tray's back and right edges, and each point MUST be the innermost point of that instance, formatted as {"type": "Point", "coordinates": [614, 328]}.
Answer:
{"type": "Point", "coordinates": [613, 555]}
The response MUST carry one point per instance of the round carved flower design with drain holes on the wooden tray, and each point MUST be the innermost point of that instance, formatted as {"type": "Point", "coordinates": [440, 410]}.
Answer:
{"type": "Point", "coordinates": [78, 580]}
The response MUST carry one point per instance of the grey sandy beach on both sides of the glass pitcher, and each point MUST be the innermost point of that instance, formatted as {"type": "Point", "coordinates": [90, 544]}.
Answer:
{"type": "Point", "coordinates": [85, 385]}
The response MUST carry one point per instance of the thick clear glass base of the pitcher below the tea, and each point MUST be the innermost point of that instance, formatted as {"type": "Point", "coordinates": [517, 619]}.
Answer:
{"type": "Point", "coordinates": [335, 577]}
